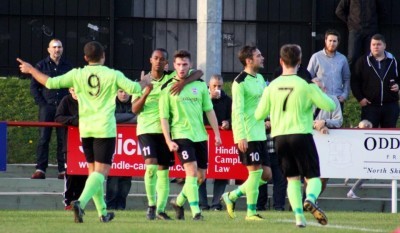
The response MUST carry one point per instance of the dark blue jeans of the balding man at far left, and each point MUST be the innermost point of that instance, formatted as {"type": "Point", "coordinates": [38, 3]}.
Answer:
{"type": "Point", "coordinates": [47, 114]}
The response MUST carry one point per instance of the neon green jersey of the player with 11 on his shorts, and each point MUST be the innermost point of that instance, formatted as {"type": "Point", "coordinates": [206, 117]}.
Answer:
{"type": "Point", "coordinates": [149, 118]}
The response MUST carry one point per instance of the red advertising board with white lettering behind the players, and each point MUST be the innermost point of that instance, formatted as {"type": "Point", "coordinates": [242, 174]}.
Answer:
{"type": "Point", "coordinates": [223, 160]}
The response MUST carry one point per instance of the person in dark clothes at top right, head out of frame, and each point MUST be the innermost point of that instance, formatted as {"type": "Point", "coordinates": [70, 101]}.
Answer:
{"type": "Point", "coordinates": [362, 18]}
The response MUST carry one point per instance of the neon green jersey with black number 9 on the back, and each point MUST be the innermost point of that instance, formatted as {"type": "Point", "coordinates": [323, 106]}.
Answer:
{"type": "Point", "coordinates": [96, 87]}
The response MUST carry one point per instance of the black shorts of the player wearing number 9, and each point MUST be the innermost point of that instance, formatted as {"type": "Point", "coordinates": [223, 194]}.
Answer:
{"type": "Point", "coordinates": [99, 149]}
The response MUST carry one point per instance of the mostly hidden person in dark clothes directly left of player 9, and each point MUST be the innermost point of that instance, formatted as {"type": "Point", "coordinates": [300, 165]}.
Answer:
{"type": "Point", "coordinates": [67, 114]}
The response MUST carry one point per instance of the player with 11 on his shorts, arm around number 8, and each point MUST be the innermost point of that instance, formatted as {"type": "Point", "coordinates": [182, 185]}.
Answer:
{"type": "Point", "coordinates": [156, 153]}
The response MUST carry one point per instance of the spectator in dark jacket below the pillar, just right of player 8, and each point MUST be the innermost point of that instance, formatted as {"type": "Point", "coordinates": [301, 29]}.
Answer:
{"type": "Point", "coordinates": [223, 109]}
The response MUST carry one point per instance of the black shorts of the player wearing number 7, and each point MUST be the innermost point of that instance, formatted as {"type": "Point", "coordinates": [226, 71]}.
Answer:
{"type": "Point", "coordinates": [298, 155]}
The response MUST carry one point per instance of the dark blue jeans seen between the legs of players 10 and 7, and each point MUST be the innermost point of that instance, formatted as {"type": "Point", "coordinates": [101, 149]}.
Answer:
{"type": "Point", "coordinates": [279, 189]}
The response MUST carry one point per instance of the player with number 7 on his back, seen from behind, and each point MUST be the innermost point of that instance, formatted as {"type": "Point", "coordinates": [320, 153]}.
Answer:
{"type": "Point", "coordinates": [289, 101]}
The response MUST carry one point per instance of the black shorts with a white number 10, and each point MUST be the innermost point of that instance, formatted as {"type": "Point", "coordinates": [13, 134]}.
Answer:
{"type": "Point", "coordinates": [257, 153]}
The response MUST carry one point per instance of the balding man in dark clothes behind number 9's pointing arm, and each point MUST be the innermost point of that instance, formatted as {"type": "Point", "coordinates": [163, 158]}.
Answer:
{"type": "Point", "coordinates": [48, 100]}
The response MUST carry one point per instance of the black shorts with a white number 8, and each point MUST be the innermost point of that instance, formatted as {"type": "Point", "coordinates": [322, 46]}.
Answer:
{"type": "Point", "coordinates": [193, 151]}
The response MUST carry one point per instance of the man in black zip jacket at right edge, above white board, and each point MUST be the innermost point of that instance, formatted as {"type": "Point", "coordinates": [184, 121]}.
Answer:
{"type": "Point", "coordinates": [375, 85]}
